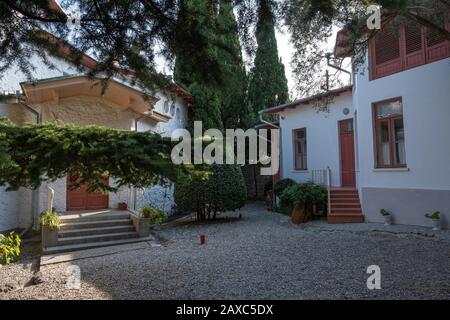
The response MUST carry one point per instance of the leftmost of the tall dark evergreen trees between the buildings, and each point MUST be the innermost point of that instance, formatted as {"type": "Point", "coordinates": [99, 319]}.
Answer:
{"type": "Point", "coordinates": [195, 68]}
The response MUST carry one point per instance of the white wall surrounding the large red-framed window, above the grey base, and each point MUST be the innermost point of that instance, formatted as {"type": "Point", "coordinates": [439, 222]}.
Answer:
{"type": "Point", "coordinates": [425, 92]}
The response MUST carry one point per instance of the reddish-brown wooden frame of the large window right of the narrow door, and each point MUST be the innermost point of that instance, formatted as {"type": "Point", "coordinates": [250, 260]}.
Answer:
{"type": "Point", "coordinates": [391, 135]}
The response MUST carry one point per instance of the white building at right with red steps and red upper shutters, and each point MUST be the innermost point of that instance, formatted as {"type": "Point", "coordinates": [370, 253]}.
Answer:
{"type": "Point", "coordinates": [387, 137]}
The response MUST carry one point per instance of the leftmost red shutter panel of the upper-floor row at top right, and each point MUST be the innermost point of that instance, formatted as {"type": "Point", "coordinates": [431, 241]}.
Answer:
{"type": "Point", "coordinates": [386, 53]}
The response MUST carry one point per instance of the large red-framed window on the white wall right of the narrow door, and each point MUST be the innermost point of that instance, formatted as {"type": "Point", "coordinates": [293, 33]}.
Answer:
{"type": "Point", "coordinates": [389, 134]}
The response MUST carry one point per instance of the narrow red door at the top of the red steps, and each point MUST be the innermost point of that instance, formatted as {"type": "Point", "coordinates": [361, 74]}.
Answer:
{"type": "Point", "coordinates": [347, 153]}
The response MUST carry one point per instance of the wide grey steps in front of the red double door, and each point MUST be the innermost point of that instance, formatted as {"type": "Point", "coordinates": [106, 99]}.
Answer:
{"type": "Point", "coordinates": [79, 232]}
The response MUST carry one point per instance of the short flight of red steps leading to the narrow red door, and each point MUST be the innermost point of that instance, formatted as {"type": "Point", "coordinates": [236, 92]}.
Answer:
{"type": "Point", "coordinates": [345, 206]}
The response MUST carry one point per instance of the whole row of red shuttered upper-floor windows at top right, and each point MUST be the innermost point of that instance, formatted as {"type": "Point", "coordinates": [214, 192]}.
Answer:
{"type": "Point", "coordinates": [399, 47]}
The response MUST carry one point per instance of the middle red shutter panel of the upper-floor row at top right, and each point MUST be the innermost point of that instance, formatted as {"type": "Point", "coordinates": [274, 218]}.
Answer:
{"type": "Point", "coordinates": [414, 45]}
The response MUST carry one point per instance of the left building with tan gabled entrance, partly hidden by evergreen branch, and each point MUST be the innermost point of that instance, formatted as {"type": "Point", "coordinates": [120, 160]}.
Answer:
{"type": "Point", "coordinates": [64, 95]}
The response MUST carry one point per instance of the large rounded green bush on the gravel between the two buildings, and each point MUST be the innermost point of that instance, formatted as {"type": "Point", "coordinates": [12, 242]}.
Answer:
{"type": "Point", "coordinates": [211, 189]}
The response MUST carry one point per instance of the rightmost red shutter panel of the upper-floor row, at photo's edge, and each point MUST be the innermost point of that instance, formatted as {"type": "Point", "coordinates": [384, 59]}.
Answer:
{"type": "Point", "coordinates": [437, 45]}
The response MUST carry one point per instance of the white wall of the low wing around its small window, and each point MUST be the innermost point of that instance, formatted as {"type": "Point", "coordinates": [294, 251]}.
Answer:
{"type": "Point", "coordinates": [322, 138]}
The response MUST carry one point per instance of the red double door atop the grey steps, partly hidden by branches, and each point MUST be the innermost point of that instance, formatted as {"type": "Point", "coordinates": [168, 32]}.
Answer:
{"type": "Point", "coordinates": [81, 199]}
